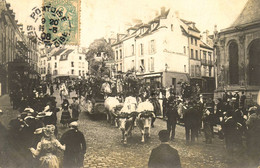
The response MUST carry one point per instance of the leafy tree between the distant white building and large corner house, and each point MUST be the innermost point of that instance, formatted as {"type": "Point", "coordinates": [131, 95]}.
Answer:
{"type": "Point", "coordinates": [98, 47]}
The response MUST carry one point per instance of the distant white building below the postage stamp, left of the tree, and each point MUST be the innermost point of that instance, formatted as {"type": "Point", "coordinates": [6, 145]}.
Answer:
{"type": "Point", "coordinates": [66, 61]}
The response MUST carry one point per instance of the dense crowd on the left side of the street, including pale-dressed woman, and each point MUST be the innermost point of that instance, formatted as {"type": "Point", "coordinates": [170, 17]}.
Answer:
{"type": "Point", "coordinates": [32, 137]}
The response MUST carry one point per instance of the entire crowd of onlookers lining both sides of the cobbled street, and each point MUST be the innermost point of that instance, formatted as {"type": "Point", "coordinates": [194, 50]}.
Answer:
{"type": "Point", "coordinates": [35, 128]}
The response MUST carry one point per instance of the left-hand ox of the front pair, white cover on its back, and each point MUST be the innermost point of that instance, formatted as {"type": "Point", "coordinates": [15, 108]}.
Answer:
{"type": "Point", "coordinates": [126, 118]}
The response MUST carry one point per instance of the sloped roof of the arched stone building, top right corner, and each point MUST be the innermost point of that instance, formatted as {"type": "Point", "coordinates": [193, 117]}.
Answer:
{"type": "Point", "coordinates": [250, 13]}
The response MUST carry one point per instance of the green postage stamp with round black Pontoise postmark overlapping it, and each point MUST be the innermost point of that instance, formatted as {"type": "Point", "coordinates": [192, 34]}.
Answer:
{"type": "Point", "coordinates": [56, 23]}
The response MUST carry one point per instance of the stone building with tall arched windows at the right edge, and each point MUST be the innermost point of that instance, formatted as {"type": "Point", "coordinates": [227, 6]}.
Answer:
{"type": "Point", "coordinates": [238, 54]}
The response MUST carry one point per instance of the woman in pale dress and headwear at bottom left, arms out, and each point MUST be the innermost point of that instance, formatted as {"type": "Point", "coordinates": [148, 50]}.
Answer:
{"type": "Point", "coordinates": [47, 149]}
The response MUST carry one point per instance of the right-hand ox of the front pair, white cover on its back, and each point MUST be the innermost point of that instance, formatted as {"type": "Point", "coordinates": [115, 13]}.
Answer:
{"type": "Point", "coordinates": [144, 118]}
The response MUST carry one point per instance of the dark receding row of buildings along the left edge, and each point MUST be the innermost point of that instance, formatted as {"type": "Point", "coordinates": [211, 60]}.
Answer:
{"type": "Point", "coordinates": [18, 53]}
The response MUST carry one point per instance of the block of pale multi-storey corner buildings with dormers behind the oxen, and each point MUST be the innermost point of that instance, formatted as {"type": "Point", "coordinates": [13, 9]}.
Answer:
{"type": "Point", "coordinates": [167, 50]}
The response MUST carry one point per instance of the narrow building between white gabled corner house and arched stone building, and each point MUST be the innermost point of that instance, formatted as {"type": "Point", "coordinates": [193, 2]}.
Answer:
{"type": "Point", "coordinates": [201, 58]}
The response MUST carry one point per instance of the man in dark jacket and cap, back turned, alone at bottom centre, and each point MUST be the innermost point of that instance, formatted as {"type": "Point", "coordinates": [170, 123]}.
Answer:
{"type": "Point", "coordinates": [164, 156]}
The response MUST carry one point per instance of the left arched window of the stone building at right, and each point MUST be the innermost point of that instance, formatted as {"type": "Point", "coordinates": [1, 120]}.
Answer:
{"type": "Point", "coordinates": [233, 63]}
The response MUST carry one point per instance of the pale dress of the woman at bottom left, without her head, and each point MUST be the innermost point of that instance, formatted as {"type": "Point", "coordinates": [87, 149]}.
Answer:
{"type": "Point", "coordinates": [46, 150]}
